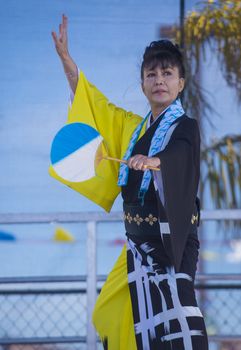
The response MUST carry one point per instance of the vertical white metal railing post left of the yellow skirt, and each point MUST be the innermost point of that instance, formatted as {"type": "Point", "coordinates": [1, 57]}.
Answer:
{"type": "Point", "coordinates": [91, 283]}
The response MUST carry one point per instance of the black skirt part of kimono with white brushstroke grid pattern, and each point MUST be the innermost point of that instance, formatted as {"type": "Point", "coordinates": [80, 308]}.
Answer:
{"type": "Point", "coordinates": [165, 311]}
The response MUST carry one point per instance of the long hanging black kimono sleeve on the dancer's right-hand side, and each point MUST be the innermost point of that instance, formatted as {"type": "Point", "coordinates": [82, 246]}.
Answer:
{"type": "Point", "coordinates": [180, 170]}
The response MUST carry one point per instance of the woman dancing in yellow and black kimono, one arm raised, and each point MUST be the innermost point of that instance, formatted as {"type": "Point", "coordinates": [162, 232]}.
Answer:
{"type": "Point", "coordinates": [148, 300]}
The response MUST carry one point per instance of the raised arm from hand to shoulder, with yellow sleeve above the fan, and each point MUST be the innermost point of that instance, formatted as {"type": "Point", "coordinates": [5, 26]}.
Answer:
{"type": "Point", "coordinates": [90, 105]}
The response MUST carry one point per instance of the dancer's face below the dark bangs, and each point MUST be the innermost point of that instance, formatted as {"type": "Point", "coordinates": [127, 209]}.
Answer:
{"type": "Point", "coordinates": [161, 86]}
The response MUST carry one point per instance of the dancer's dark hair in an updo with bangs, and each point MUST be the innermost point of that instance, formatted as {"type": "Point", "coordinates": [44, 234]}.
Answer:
{"type": "Point", "coordinates": [165, 54]}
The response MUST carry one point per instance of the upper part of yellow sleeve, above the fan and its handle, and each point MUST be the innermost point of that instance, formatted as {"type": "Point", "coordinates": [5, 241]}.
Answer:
{"type": "Point", "coordinates": [90, 106]}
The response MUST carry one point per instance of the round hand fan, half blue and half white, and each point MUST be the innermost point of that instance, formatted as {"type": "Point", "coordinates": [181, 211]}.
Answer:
{"type": "Point", "coordinates": [73, 152]}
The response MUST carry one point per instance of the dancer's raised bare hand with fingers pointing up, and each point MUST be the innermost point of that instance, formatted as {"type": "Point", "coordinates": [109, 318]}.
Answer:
{"type": "Point", "coordinates": [61, 40]}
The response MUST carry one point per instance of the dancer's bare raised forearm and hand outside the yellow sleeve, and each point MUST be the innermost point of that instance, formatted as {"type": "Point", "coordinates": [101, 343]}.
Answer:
{"type": "Point", "coordinates": [61, 45]}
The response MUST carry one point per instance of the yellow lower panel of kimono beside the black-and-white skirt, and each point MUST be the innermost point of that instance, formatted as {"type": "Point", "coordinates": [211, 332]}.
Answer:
{"type": "Point", "coordinates": [112, 316]}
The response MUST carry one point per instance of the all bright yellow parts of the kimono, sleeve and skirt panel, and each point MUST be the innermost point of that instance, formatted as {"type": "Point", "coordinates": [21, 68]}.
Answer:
{"type": "Point", "coordinates": [112, 316]}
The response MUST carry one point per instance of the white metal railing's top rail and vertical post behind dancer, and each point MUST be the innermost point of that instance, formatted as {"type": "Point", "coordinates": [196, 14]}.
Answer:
{"type": "Point", "coordinates": [91, 219]}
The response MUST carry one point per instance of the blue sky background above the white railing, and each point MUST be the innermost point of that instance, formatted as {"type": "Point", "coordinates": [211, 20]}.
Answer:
{"type": "Point", "coordinates": [107, 39]}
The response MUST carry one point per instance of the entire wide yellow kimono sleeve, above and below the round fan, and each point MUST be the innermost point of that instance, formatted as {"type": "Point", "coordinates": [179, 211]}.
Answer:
{"type": "Point", "coordinates": [115, 125]}
